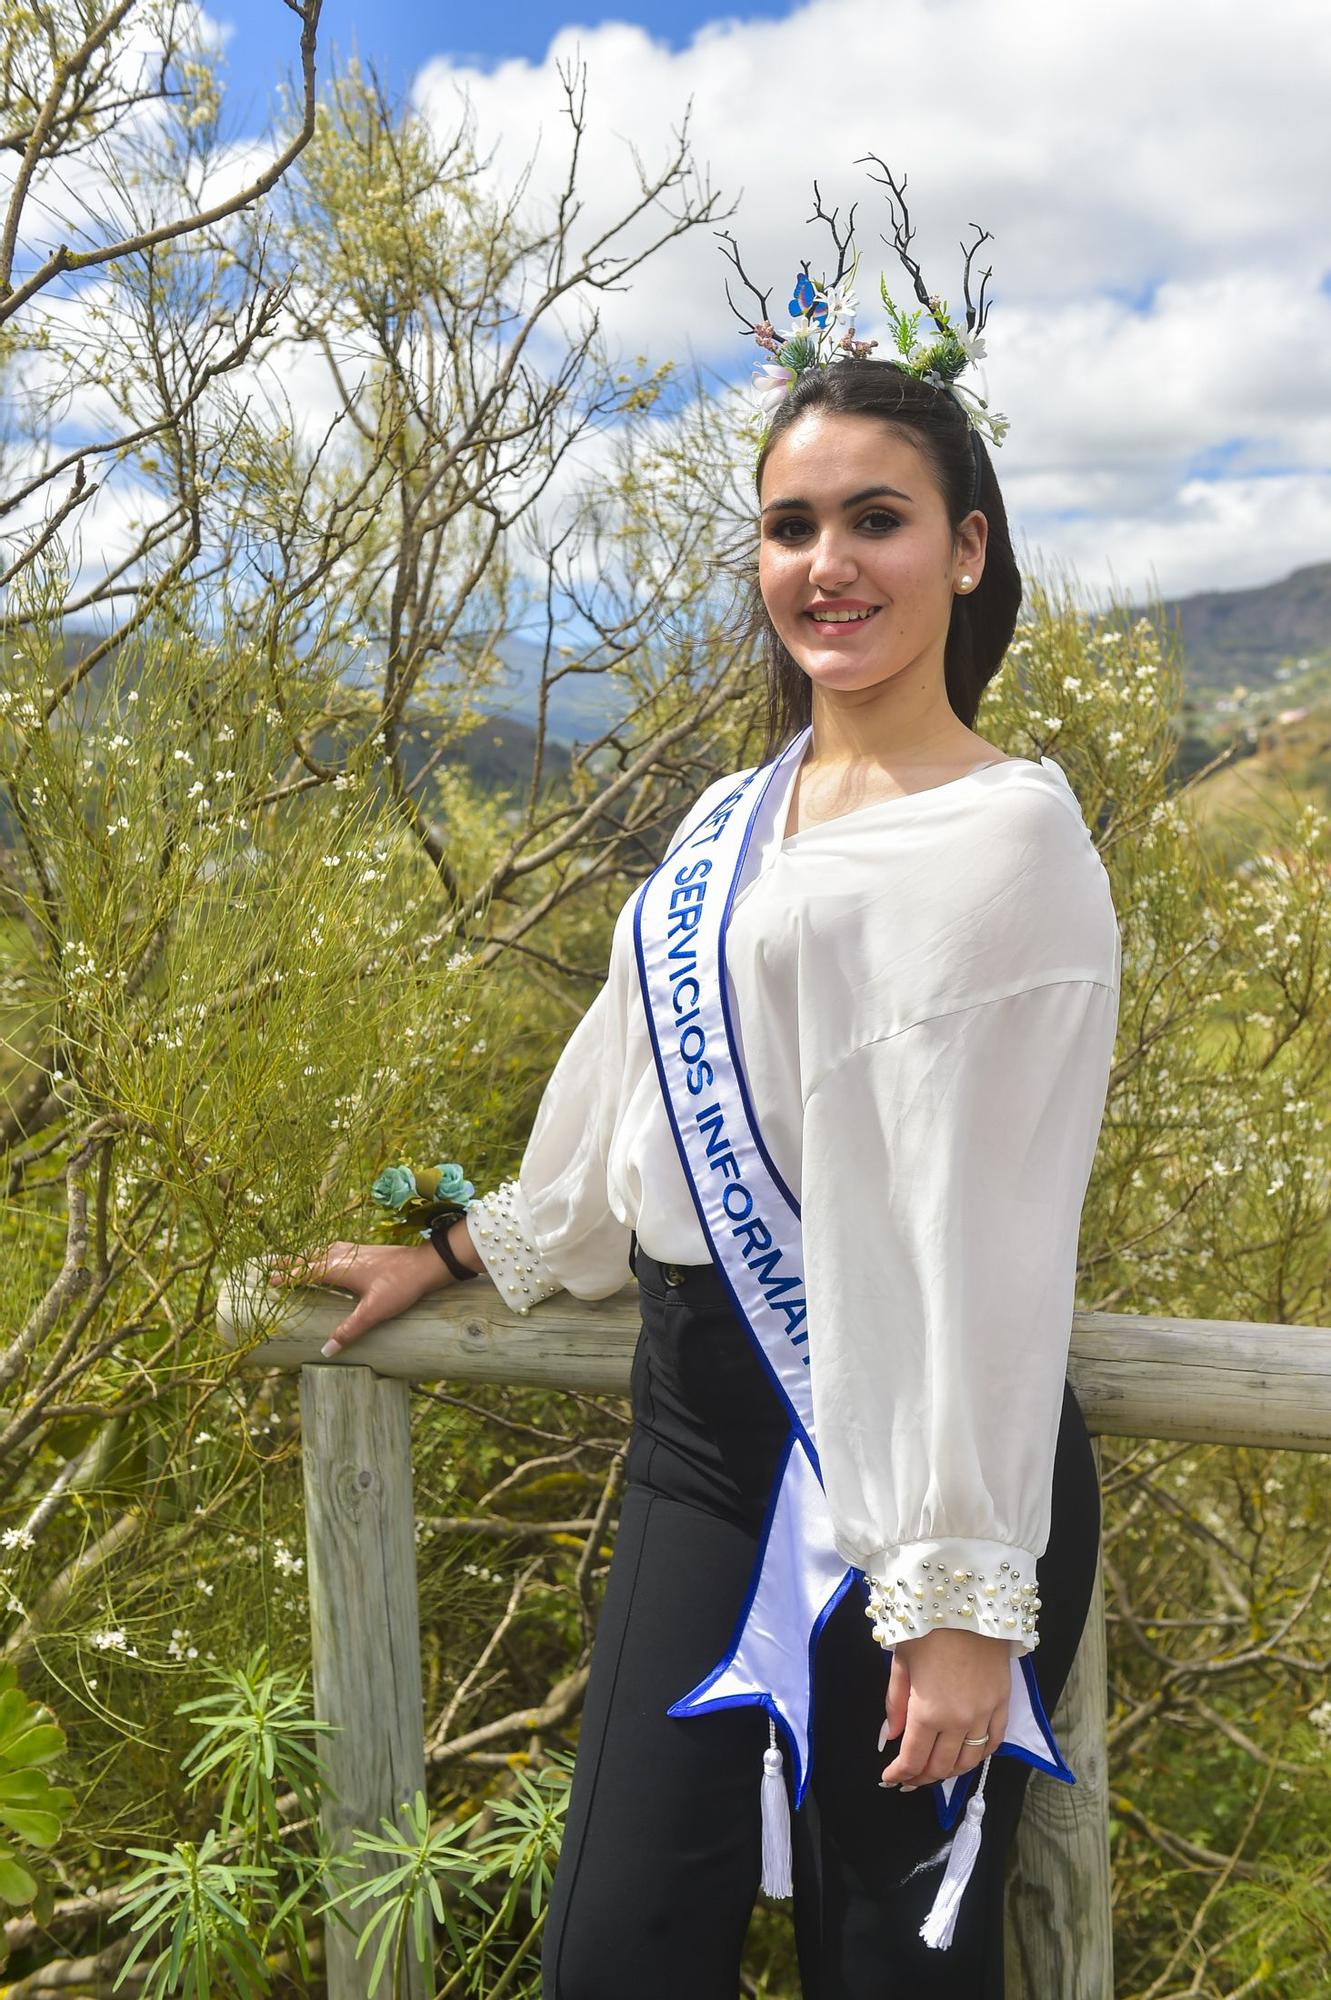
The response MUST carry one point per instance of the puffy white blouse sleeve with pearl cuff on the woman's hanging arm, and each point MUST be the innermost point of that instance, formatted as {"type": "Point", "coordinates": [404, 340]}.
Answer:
{"type": "Point", "coordinates": [942, 1185]}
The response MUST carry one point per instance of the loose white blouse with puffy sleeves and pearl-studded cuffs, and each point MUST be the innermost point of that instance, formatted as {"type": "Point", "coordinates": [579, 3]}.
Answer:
{"type": "Point", "coordinates": [926, 995]}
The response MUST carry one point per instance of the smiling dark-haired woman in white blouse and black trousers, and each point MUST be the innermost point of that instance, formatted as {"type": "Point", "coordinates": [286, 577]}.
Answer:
{"type": "Point", "coordinates": [924, 973]}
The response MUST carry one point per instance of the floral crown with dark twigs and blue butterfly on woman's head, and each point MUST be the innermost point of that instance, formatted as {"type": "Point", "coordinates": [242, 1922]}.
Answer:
{"type": "Point", "coordinates": [822, 315]}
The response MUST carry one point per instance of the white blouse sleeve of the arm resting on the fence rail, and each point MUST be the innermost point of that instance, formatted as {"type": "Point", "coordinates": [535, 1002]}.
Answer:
{"type": "Point", "coordinates": [553, 1229]}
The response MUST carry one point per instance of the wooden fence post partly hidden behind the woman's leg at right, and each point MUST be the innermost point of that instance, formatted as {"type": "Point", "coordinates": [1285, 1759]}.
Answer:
{"type": "Point", "coordinates": [1058, 1897]}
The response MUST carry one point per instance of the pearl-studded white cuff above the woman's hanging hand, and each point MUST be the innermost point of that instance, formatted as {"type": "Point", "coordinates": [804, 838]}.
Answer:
{"type": "Point", "coordinates": [976, 1587]}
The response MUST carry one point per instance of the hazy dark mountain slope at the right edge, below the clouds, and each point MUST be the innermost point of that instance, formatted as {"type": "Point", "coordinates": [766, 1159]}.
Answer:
{"type": "Point", "coordinates": [1240, 639]}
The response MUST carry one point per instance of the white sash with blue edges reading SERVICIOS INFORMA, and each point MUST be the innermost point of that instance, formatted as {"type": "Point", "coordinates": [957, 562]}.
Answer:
{"type": "Point", "coordinates": [752, 1225]}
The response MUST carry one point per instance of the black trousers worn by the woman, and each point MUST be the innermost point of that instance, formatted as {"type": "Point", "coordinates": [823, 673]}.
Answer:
{"type": "Point", "coordinates": [663, 1849]}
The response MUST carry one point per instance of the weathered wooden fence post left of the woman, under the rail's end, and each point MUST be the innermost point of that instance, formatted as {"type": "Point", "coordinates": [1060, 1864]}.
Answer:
{"type": "Point", "coordinates": [365, 1629]}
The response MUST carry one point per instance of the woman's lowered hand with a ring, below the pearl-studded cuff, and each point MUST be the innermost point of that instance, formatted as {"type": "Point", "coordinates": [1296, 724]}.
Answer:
{"type": "Point", "coordinates": [946, 1685]}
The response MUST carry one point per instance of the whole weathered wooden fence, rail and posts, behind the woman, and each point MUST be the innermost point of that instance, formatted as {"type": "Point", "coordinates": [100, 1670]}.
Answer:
{"type": "Point", "coordinates": [1202, 1381]}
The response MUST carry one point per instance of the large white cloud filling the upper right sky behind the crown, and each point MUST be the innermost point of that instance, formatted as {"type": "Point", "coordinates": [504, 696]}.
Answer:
{"type": "Point", "coordinates": [1110, 151]}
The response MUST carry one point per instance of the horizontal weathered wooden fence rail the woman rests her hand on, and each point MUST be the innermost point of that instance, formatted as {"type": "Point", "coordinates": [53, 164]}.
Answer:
{"type": "Point", "coordinates": [1206, 1381]}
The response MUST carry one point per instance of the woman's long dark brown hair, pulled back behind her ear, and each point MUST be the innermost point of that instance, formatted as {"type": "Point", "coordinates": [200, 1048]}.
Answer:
{"type": "Point", "coordinates": [982, 621]}
